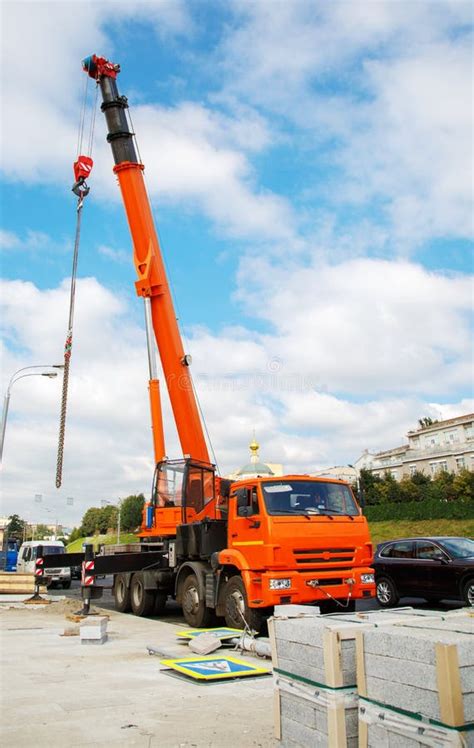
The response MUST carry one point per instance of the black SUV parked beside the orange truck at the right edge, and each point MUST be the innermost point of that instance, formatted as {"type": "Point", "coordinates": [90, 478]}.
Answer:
{"type": "Point", "coordinates": [432, 568]}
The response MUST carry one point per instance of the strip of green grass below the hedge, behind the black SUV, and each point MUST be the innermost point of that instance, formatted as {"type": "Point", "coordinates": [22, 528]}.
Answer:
{"type": "Point", "coordinates": [389, 530]}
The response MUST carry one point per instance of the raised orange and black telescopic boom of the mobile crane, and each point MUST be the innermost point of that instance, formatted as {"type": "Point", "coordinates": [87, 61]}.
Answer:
{"type": "Point", "coordinates": [152, 282]}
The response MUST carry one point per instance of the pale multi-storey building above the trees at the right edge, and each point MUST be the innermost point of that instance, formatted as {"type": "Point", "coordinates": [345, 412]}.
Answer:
{"type": "Point", "coordinates": [443, 445]}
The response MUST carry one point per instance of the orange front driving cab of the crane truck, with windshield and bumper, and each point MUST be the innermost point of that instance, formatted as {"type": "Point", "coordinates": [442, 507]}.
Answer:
{"type": "Point", "coordinates": [299, 539]}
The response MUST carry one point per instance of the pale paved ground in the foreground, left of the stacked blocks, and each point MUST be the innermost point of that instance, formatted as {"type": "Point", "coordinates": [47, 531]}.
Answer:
{"type": "Point", "coordinates": [57, 692]}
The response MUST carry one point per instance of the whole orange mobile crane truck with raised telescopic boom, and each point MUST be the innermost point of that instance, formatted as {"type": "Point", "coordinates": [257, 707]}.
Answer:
{"type": "Point", "coordinates": [220, 548]}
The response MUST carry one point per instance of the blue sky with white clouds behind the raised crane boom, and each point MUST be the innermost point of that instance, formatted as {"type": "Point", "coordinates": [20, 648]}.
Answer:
{"type": "Point", "coordinates": [310, 169]}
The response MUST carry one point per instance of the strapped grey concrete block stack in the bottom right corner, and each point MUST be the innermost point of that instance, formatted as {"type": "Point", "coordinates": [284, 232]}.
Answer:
{"type": "Point", "coordinates": [416, 683]}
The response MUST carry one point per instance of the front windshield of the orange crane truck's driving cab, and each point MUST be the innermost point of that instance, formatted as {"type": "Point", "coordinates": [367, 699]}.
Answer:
{"type": "Point", "coordinates": [309, 498]}
